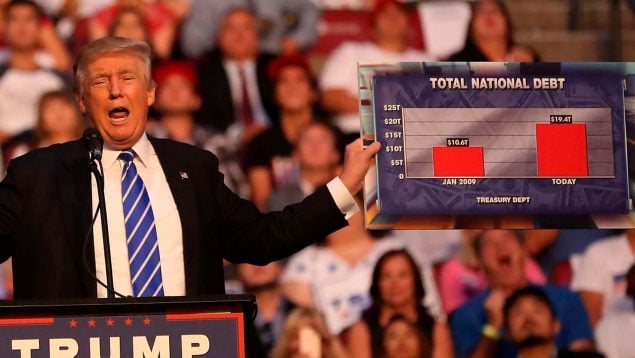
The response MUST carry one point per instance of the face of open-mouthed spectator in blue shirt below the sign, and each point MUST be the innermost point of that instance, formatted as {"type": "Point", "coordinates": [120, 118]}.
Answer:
{"type": "Point", "coordinates": [502, 258]}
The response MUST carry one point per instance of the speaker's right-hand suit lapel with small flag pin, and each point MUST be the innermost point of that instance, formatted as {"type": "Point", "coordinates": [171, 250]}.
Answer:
{"type": "Point", "coordinates": [184, 195]}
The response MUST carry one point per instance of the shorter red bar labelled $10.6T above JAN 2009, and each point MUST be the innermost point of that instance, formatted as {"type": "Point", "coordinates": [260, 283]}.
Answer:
{"type": "Point", "coordinates": [458, 161]}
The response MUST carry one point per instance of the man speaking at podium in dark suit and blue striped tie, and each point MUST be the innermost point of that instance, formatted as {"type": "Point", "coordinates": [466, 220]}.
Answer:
{"type": "Point", "coordinates": [170, 217]}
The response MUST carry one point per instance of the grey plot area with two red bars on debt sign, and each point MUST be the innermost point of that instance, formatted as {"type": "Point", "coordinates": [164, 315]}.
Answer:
{"type": "Point", "coordinates": [508, 142]}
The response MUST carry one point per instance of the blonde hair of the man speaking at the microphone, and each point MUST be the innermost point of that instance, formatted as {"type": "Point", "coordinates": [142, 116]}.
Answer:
{"type": "Point", "coordinates": [109, 46]}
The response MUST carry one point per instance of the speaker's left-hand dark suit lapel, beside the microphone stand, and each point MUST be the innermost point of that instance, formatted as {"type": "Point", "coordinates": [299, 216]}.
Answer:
{"type": "Point", "coordinates": [74, 185]}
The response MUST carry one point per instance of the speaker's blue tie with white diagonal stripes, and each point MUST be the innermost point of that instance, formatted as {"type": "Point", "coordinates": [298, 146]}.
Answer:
{"type": "Point", "coordinates": [141, 233]}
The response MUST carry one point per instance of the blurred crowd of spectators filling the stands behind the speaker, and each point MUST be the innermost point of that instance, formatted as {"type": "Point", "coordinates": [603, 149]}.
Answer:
{"type": "Point", "coordinates": [236, 77]}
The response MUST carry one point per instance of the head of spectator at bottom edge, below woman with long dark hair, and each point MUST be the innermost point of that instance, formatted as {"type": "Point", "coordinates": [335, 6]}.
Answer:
{"type": "Point", "coordinates": [404, 339]}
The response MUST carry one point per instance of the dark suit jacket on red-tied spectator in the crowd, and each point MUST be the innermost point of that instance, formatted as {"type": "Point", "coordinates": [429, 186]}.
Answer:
{"type": "Point", "coordinates": [217, 106]}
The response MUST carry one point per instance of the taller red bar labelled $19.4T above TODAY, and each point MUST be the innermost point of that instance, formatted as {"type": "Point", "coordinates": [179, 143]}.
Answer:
{"type": "Point", "coordinates": [561, 149]}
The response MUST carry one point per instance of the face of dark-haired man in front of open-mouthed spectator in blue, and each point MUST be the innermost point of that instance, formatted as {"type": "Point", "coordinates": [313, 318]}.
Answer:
{"type": "Point", "coordinates": [530, 320]}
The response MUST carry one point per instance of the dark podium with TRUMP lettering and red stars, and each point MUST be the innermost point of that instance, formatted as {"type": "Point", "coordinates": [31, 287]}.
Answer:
{"type": "Point", "coordinates": [206, 326]}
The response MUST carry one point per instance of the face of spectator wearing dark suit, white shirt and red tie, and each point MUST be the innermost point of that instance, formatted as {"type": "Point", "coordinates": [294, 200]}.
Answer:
{"type": "Point", "coordinates": [238, 36]}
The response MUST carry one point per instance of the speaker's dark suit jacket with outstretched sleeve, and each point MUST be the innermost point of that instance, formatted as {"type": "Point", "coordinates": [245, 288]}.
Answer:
{"type": "Point", "coordinates": [45, 213]}
